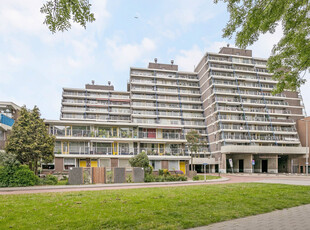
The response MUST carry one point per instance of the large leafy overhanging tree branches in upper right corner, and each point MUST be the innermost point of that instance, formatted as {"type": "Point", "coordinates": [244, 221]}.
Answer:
{"type": "Point", "coordinates": [290, 57]}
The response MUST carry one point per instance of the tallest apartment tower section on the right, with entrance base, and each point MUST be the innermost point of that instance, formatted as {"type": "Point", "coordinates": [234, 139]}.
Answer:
{"type": "Point", "coordinates": [249, 128]}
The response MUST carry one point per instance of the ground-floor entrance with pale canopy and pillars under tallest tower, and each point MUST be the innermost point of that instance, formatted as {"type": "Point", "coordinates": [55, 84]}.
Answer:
{"type": "Point", "coordinates": [262, 159]}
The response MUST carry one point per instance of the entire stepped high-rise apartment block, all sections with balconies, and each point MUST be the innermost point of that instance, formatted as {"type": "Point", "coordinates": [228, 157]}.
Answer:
{"type": "Point", "coordinates": [228, 99]}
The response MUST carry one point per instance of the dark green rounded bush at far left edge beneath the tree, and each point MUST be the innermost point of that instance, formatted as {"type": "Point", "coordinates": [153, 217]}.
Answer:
{"type": "Point", "coordinates": [17, 175]}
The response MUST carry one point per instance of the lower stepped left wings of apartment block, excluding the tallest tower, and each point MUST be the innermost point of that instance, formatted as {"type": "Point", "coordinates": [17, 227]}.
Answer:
{"type": "Point", "coordinates": [103, 127]}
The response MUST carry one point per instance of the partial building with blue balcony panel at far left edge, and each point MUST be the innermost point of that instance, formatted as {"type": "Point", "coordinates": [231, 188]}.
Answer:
{"type": "Point", "coordinates": [8, 115]}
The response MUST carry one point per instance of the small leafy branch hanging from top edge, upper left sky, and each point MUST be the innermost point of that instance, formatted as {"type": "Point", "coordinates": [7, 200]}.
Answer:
{"type": "Point", "coordinates": [59, 13]}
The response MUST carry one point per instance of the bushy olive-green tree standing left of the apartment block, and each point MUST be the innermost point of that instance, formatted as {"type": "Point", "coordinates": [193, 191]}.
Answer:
{"type": "Point", "coordinates": [29, 140]}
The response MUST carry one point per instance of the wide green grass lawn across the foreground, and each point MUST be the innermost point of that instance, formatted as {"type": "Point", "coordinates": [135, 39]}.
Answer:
{"type": "Point", "coordinates": [147, 208]}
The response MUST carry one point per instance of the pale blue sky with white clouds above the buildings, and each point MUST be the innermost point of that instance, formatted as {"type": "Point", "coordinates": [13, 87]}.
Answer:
{"type": "Point", "coordinates": [35, 64]}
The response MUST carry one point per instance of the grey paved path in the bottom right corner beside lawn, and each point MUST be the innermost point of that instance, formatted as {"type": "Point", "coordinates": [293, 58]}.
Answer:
{"type": "Point", "coordinates": [287, 219]}
